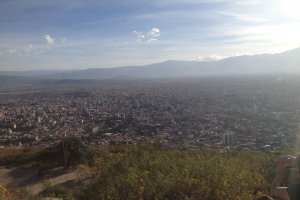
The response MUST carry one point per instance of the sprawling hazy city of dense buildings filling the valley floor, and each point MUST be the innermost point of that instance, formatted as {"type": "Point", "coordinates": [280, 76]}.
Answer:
{"type": "Point", "coordinates": [261, 112]}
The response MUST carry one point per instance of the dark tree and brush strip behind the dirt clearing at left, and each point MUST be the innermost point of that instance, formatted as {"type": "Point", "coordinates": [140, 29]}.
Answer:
{"type": "Point", "coordinates": [66, 153]}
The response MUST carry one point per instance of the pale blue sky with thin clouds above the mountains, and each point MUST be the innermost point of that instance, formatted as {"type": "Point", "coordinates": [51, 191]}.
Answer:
{"type": "Point", "coordinates": [80, 34]}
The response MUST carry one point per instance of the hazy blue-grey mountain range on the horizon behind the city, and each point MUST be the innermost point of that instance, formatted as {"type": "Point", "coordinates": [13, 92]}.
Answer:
{"type": "Point", "coordinates": [286, 62]}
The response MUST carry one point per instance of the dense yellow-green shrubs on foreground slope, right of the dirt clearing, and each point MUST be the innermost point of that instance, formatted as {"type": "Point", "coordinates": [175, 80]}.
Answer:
{"type": "Point", "coordinates": [145, 172]}
